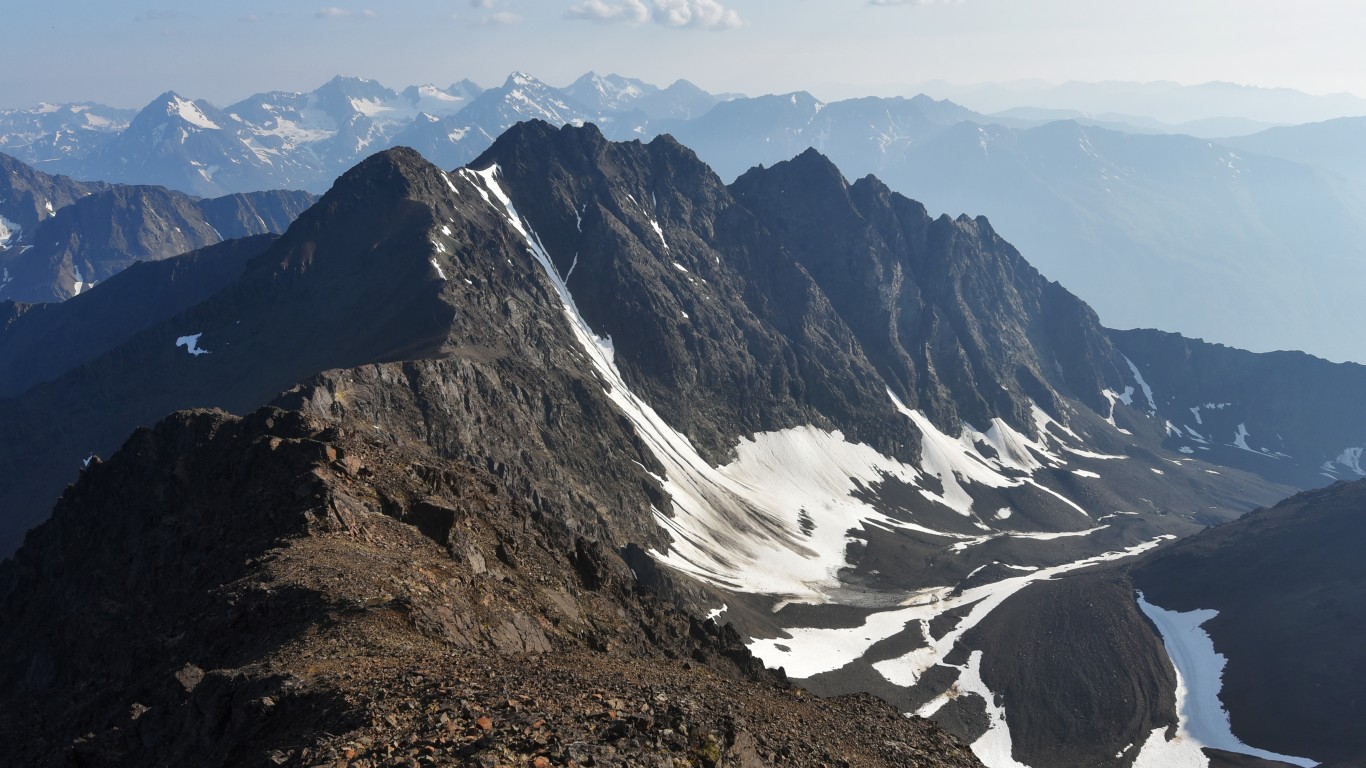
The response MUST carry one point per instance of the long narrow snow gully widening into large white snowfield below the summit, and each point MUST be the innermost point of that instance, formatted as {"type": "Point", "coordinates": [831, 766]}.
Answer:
{"type": "Point", "coordinates": [741, 525]}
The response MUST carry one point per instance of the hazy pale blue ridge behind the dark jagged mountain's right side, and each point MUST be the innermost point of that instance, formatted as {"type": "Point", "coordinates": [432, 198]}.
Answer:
{"type": "Point", "coordinates": [1205, 240]}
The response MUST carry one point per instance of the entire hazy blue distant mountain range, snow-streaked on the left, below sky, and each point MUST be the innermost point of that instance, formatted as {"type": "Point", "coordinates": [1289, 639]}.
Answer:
{"type": "Point", "coordinates": [1252, 241]}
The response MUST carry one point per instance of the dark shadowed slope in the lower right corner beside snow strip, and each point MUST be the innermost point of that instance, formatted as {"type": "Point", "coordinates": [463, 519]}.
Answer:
{"type": "Point", "coordinates": [1279, 579]}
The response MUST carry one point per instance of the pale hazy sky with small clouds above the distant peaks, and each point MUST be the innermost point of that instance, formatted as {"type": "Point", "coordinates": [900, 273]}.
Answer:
{"type": "Point", "coordinates": [126, 53]}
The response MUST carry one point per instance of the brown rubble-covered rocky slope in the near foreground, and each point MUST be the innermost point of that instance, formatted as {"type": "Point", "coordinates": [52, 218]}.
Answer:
{"type": "Point", "coordinates": [279, 591]}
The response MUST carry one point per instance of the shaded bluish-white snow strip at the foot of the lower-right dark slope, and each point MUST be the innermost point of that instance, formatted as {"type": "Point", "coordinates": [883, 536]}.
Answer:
{"type": "Point", "coordinates": [1200, 676]}
